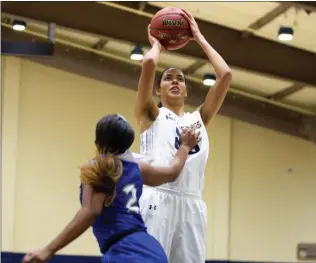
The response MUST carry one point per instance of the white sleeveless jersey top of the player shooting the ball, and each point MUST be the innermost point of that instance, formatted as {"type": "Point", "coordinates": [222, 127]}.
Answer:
{"type": "Point", "coordinates": [160, 142]}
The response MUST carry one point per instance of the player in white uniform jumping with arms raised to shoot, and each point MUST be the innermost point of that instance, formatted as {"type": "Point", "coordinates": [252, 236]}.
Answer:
{"type": "Point", "coordinates": [175, 213]}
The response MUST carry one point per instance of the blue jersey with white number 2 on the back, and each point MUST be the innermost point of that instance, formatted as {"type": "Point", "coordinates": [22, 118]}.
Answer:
{"type": "Point", "coordinates": [123, 214]}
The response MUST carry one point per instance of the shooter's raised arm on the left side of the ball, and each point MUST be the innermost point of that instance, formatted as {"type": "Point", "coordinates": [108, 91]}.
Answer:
{"type": "Point", "coordinates": [145, 110]}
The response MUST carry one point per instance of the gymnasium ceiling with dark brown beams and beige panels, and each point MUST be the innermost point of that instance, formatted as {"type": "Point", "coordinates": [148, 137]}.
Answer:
{"type": "Point", "coordinates": [274, 82]}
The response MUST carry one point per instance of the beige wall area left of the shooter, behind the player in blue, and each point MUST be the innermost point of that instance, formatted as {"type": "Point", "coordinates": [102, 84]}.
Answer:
{"type": "Point", "coordinates": [55, 113]}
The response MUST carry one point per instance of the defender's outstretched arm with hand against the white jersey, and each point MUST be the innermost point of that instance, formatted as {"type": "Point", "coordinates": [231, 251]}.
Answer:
{"type": "Point", "coordinates": [154, 175]}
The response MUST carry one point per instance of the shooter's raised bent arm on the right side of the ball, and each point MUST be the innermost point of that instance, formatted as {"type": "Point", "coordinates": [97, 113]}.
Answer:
{"type": "Point", "coordinates": [216, 95]}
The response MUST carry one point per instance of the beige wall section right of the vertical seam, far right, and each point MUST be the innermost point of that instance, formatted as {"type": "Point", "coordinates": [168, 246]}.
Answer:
{"type": "Point", "coordinates": [272, 209]}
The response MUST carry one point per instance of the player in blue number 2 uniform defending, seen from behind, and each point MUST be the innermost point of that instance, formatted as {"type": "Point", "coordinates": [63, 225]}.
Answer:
{"type": "Point", "coordinates": [111, 185]}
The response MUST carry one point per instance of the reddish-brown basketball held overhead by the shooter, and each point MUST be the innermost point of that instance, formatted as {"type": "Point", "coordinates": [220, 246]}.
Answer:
{"type": "Point", "coordinates": [170, 28]}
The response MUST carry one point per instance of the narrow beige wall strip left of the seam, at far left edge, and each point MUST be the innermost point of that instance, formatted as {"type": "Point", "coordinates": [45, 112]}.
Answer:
{"type": "Point", "coordinates": [10, 115]}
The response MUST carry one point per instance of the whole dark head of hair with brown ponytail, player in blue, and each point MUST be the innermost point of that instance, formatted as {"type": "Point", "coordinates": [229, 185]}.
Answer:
{"type": "Point", "coordinates": [114, 135]}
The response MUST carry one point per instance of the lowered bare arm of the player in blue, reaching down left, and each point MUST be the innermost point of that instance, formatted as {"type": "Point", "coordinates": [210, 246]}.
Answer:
{"type": "Point", "coordinates": [92, 205]}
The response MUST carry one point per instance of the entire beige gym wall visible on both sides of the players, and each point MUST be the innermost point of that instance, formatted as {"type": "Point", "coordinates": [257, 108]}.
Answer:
{"type": "Point", "coordinates": [48, 127]}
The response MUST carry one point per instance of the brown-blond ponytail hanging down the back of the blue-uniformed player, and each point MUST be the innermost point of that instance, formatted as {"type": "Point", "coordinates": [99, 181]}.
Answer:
{"type": "Point", "coordinates": [102, 174]}
